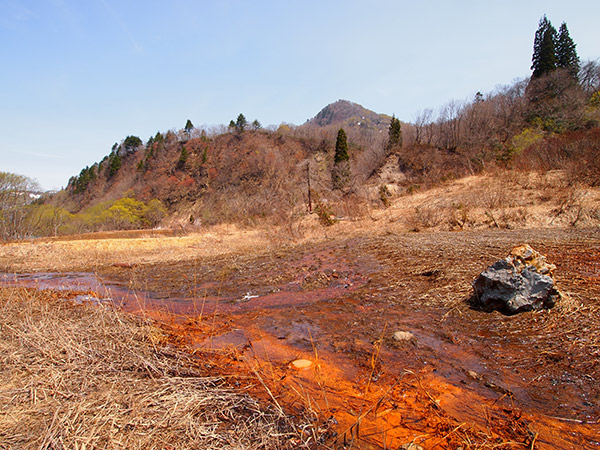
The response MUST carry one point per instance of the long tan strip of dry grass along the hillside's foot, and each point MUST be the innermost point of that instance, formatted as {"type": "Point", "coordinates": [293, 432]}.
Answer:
{"type": "Point", "coordinates": [506, 199]}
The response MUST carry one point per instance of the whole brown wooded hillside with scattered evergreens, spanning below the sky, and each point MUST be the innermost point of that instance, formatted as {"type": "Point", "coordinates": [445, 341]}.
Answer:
{"type": "Point", "coordinates": [244, 173]}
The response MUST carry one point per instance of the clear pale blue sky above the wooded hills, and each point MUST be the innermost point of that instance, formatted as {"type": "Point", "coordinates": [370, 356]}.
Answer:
{"type": "Point", "coordinates": [79, 75]}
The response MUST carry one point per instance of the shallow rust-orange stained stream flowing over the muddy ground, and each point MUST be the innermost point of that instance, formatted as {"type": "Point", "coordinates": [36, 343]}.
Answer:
{"type": "Point", "coordinates": [340, 311]}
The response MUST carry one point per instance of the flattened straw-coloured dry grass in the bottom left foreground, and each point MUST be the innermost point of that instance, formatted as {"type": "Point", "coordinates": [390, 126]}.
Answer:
{"type": "Point", "coordinates": [87, 376]}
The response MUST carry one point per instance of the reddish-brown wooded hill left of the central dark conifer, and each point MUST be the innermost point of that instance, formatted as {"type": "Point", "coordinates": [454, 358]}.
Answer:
{"type": "Point", "coordinates": [238, 175]}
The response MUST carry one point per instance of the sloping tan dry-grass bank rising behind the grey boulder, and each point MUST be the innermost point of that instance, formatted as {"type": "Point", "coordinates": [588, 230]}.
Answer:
{"type": "Point", "coordinates": [507, 199]}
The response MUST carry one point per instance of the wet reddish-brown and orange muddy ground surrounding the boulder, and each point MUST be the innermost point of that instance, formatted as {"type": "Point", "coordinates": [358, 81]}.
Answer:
{"type": "Point", "coordinates": [459, 378]}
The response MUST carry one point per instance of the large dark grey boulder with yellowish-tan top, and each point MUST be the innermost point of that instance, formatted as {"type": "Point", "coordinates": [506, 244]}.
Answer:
{"type": "Point", "coordinates": [521, 282]}
